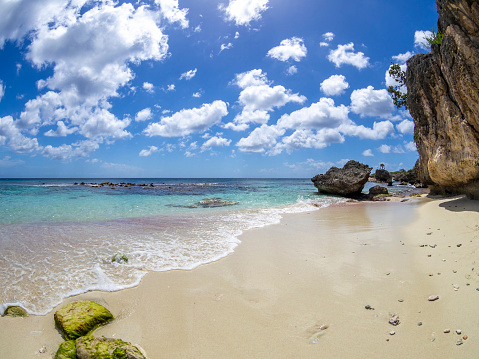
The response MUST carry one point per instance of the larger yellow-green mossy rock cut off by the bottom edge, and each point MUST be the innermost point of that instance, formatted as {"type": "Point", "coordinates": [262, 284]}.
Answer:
{"type": "Point", "coordinates": [90, 347]}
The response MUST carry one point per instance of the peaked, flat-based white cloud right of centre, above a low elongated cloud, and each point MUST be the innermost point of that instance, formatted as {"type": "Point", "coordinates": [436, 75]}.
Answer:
{"type": "Point", "coordinates": [322, 114]}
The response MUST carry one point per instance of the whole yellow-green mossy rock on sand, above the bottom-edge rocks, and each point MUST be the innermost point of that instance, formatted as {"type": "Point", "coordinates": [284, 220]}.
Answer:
{"type": "Point", "coordinates": [79, 318]}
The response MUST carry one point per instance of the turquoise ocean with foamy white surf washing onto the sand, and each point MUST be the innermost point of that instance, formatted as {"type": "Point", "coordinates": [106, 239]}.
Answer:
{"type": "Point", "coordinates": [62, 237]}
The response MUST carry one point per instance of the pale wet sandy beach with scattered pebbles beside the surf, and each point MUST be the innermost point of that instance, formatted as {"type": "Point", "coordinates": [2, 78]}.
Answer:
{"type": "Point", "coordinates": [299, 289]}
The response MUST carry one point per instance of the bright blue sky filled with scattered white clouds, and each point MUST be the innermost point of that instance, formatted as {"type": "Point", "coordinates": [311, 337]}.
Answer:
{"type": "Point", "coordinates": [204, 88]}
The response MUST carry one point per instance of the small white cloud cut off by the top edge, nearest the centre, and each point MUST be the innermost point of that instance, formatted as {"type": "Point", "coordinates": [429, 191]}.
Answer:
{"type": "Point", "coordinates": [242, 12]}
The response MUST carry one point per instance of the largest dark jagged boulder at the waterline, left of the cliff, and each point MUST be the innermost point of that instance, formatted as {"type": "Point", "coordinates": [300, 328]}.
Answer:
{"type": "Point", "coordinates": [347, 181]}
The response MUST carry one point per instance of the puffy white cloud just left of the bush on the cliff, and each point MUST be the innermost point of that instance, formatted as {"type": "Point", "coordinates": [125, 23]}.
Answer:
{"type": "Point", "coordinates": [371, 102]}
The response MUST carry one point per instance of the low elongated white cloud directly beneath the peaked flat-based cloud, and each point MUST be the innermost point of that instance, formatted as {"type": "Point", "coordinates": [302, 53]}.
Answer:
{"type": "Point", "coordinates": [305, 138]}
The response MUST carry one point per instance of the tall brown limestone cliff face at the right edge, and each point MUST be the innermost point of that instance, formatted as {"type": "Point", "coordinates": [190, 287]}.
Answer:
{"type": "Point", "coordinates": [443, 98]}
